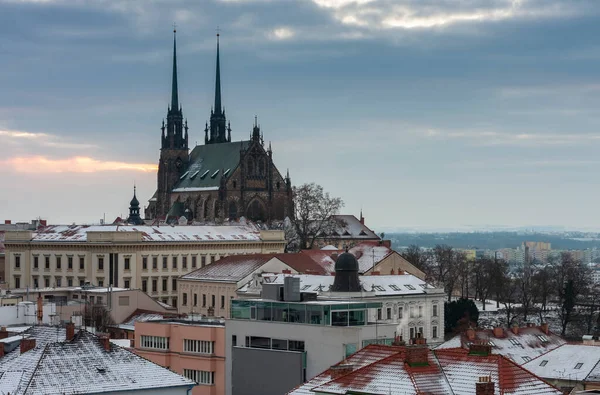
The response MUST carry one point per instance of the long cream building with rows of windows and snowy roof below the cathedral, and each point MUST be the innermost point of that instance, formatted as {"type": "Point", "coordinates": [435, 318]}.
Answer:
{"type": "Point", "coordinates": [150, 258]}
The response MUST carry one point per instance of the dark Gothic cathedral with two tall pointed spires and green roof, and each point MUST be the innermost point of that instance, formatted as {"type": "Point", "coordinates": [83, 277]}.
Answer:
{"type": "Point", "coordinates": [221, 179]}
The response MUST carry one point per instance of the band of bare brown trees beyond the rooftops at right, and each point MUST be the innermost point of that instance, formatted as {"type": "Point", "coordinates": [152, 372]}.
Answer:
{"type": "Point", "coordinates": [563, 284]}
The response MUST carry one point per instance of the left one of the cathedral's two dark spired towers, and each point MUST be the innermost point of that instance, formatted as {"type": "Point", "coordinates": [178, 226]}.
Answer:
{"type": "Point", "coordinates": [174, 154]}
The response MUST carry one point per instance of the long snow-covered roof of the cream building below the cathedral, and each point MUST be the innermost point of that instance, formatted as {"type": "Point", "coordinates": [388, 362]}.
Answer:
{"type": "Point", "coordinates": [191, 233]}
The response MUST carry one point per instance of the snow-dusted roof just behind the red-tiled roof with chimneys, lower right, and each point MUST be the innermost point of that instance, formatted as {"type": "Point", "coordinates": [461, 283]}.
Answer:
{"type": "Point", "coordinates": [527, 344]}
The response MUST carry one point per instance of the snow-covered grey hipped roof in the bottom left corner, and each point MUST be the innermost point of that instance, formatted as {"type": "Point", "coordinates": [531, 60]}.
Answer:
{"type": "Point", "coordinates": [81, 366]}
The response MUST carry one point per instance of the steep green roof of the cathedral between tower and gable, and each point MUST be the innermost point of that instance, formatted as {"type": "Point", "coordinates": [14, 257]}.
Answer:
{"type": "Point", "coordinates": [209, 162]}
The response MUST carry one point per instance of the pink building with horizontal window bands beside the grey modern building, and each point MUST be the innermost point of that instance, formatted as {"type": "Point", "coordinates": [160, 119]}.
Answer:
{"type": "Point", "coordinates": [194, 349]}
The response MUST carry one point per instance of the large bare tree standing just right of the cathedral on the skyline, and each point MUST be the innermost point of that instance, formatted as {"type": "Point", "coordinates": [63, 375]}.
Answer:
{"type": "Point", "coordinates": [313, 211]}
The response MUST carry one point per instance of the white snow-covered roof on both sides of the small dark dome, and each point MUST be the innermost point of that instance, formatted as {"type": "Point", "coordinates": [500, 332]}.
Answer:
{"type": "Point", "coordinates": [405, 284]}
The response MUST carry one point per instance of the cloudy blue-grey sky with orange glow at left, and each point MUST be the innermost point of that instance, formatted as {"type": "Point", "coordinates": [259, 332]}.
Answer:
{"type": "Point", "coordinates": [434, 113]}
